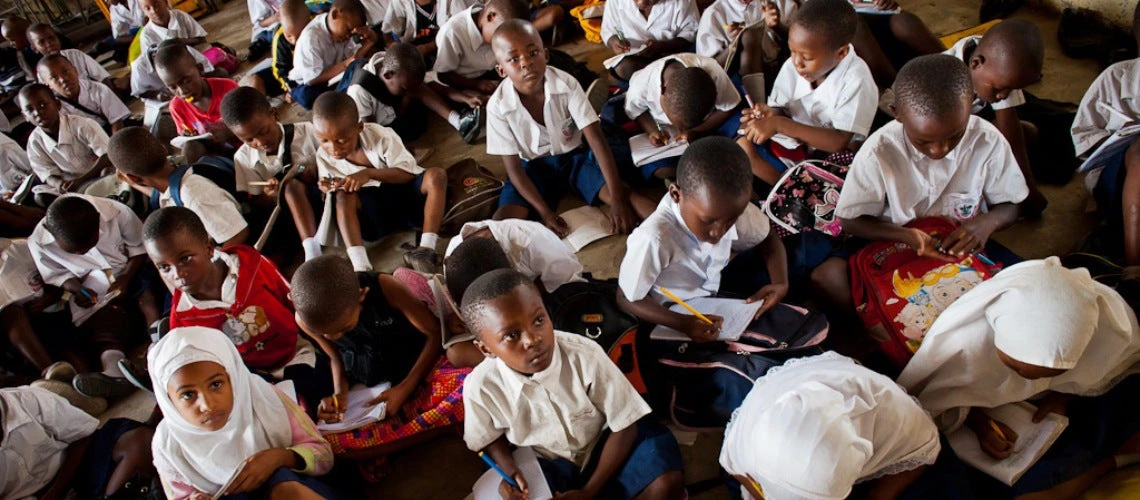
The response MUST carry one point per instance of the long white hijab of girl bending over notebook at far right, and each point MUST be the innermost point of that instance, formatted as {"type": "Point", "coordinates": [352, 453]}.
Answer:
{"type": "Point", "coordinates": [1037, 313]}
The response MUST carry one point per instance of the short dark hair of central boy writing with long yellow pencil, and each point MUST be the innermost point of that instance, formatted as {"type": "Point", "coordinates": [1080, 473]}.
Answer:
{"type": "Point", "coordinates": [714, 166]}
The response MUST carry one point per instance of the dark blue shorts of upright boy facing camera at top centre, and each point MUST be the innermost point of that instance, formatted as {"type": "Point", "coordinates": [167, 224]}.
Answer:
{"type": "Point", "coordinates": [555, 176]}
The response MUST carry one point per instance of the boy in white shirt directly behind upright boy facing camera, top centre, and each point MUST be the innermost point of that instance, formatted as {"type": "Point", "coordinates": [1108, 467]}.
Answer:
{"type": "Point", "coordinates": [465, 59]}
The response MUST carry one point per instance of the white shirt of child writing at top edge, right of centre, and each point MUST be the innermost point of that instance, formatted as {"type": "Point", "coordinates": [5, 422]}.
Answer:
{"type": "Point", "coordinates": [667, 21]}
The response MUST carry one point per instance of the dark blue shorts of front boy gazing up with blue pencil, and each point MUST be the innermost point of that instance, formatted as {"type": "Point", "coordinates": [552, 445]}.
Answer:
{"type": "Point", "coordinates": [655, 454]}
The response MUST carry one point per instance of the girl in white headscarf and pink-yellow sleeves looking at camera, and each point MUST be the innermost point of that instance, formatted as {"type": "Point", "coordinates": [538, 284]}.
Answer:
{"type": "Point", "coordinates": [201, 444]}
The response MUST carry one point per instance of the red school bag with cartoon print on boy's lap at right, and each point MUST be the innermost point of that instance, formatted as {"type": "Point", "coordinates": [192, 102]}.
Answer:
{"type": "Point", "coordinates": [899, 294]}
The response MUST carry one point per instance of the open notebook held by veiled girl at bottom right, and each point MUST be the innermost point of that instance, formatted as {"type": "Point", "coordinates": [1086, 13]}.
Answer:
{"type": "Point", "coordinates": [1033, 440]}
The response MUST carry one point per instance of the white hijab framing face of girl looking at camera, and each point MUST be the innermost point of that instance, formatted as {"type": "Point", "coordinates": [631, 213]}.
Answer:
{"type": "Point", "coordinates": [259, 420]}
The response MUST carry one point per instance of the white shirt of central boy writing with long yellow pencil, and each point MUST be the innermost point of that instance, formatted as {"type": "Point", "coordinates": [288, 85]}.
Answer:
{"type": "Point", "coordinates": [664, 253]}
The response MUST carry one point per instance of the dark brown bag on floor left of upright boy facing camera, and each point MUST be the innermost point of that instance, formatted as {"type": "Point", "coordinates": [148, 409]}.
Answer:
{"type": "Point", "coordinates": [473, 195]}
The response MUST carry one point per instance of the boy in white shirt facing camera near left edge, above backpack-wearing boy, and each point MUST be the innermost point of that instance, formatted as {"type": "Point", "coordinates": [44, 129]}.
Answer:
{"type": "Point", "coordinates": [66, 151]}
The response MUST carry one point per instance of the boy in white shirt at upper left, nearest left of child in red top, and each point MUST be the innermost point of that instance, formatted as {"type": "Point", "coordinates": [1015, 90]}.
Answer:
{"type": "Point", "coordinates": [83, 97]}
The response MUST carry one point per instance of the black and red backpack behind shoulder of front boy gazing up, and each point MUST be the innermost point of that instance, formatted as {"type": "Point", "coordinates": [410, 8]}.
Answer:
{"type": "Point", "coordinates": [591, 309]}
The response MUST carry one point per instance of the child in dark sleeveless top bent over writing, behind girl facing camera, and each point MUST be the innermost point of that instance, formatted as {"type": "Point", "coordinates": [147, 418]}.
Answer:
{"type": "Point", "coordinates": [372, 329]}
